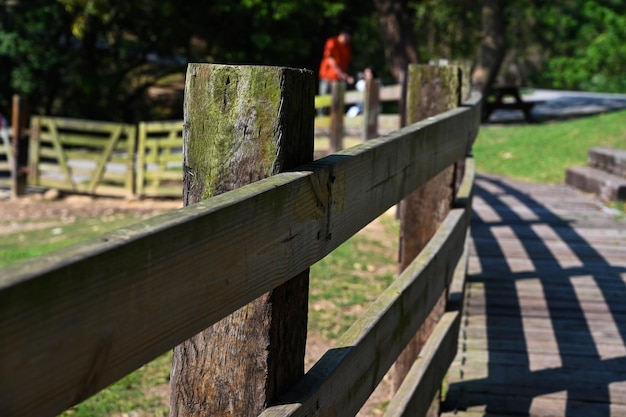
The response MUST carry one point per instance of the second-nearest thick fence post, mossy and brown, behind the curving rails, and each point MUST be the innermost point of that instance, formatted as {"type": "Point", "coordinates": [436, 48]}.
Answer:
{"type": "Point", "coordinates": [431, 90]}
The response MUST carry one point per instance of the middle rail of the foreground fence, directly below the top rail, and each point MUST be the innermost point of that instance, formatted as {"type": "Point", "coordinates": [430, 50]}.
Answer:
{"type": "Point", "coordinates": [341, 381]}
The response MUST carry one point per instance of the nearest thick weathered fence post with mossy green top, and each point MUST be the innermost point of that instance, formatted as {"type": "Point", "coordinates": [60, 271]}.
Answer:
{"type": "Point", "coordinates": [243, 123]}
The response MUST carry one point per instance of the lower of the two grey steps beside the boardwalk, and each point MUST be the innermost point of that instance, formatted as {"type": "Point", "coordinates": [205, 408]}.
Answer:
{"type": "Point", "coordinates": [592, 180]}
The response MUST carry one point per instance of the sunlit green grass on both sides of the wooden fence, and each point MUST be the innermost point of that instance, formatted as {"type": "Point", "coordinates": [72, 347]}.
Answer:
{"type": "Point", "coordinates": [351, 277]}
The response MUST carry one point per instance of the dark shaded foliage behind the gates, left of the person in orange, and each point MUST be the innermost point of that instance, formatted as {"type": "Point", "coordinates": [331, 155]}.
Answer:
{"type": "Point", "coordinates": [97, 58]}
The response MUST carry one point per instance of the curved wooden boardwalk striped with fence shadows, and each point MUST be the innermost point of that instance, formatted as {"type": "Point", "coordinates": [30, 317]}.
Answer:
{"type": "Point", "coordinates": [544, 326]}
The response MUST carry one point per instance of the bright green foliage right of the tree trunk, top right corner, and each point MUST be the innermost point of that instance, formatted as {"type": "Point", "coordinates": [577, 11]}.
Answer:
{"type": "Point", "coordinates": [573, 44]}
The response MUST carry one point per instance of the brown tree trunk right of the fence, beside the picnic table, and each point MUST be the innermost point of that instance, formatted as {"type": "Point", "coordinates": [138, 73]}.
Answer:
{"type": "Point", "coordinates": [492, 46]}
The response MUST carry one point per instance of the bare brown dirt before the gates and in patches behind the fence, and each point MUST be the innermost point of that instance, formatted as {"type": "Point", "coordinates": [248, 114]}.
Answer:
{"type": "Point", "coordinates": [26, 213]}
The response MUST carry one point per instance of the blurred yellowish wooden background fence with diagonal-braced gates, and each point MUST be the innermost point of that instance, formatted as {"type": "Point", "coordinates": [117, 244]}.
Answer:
{"type": "Point", "coordinates": [112, 159]}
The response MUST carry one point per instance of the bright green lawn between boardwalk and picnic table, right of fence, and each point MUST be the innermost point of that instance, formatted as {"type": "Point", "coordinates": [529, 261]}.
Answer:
{"type": "Point", "coordinates": [542, 152]}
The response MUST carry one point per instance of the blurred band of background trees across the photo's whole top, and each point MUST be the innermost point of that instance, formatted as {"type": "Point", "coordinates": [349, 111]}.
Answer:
{"type": "Point", "coordinates": [125, 60]}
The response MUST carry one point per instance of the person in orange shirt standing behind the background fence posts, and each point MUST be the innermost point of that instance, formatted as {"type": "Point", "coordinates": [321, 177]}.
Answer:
{"type": "Point", "coordinates": [335, 61]}
